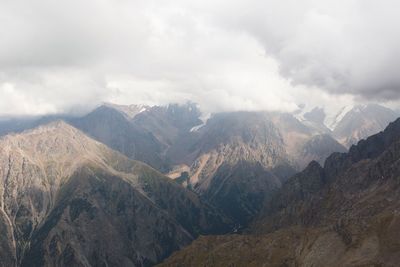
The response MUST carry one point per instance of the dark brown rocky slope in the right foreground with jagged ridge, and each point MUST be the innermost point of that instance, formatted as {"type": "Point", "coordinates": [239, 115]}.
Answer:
{"type": "Point", "coordinates": [343, 214]}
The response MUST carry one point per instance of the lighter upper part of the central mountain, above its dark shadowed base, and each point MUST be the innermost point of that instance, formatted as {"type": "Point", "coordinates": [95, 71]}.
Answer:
{"type": "Point", "coordinates": [277, 141]}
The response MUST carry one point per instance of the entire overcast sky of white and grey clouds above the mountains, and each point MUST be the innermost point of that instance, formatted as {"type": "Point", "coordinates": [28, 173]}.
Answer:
{"type": "Point", "coordinates": [58, 56]}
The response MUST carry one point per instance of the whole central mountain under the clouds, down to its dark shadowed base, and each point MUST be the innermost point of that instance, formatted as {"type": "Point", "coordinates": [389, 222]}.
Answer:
{"type": "Point", "coordinates": [242, 157]}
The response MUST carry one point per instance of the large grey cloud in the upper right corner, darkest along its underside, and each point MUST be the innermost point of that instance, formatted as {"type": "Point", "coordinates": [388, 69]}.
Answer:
{"type": "Point", "coordinates": [340, 46]}
